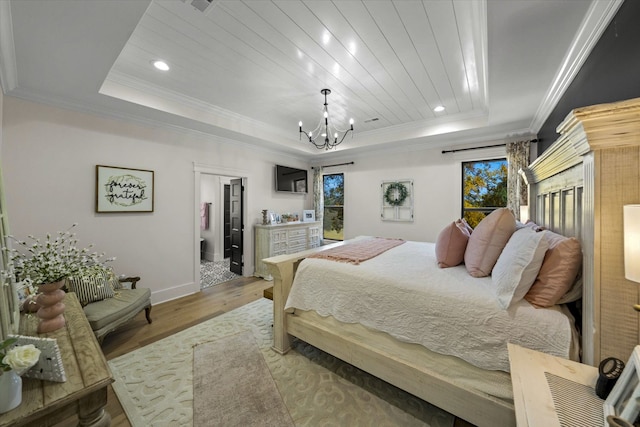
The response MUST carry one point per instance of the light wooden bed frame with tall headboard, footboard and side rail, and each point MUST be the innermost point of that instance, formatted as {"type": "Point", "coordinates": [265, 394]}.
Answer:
{"type": "Point", "coordinates": [566, 195]}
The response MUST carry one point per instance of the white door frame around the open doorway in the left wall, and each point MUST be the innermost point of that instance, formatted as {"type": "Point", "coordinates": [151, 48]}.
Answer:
{"type": "Point", "coordinates": [247, 242]}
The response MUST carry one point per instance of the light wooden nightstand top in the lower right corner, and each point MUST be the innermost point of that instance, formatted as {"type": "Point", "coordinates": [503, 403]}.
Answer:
{"type": "Point", "coordinates": [532, 372]}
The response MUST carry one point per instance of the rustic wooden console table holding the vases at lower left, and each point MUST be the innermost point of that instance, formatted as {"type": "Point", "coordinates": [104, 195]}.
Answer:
{"type": "Point", "coordinates": [45, 403]}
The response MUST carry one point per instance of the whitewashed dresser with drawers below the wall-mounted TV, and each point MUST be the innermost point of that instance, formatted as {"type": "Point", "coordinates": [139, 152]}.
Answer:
{"type": "Point", "coordinates": [283, 239]}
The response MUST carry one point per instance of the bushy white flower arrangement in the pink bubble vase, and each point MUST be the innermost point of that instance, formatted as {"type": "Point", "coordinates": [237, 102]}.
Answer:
{"type": "Point", "coordinates": [50, 261]}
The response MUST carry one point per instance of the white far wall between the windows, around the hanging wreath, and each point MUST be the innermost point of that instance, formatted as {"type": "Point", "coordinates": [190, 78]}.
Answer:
{"type": "Point", "coordinates": [437, 191]}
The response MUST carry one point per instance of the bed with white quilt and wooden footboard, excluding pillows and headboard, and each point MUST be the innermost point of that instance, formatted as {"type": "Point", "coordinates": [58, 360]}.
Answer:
{"type": "Point", "coordinates": [434, 332]}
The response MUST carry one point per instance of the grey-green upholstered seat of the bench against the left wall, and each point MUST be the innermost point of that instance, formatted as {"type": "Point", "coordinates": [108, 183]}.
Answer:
{"type": "Point", "coordinates": [126, 302]}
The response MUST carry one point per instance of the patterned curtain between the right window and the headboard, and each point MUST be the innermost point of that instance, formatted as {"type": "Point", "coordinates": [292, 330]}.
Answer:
{"type": "Point", "coordinates": [517, 192]}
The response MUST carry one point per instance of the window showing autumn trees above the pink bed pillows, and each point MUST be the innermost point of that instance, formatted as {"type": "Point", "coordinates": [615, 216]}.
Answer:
{"type": "Point", "coordinates": [484, 188]}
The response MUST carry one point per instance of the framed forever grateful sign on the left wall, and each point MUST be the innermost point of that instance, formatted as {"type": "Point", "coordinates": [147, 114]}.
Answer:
{"type": "Point", "coordinates": [123, 189]}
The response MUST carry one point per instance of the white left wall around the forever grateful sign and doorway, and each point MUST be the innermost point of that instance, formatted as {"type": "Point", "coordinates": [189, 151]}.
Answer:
{"type": "Point", "coordinates": [49, 157]}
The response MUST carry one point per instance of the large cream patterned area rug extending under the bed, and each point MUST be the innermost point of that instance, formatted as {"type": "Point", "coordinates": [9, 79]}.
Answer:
{"type": "Point", "coordinates": [155, 383]}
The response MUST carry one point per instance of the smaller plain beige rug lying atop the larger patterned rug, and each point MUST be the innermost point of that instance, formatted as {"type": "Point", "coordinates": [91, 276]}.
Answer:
{"type": "Point", "coordinates": [232, 385]}
